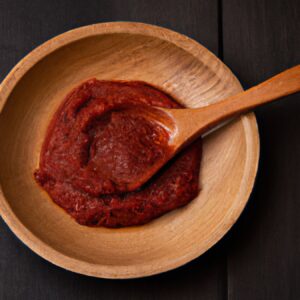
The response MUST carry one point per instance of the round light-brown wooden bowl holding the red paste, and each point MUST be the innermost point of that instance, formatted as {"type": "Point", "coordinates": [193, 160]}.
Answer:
{"type": "Point", "coordinates": [33, 90]}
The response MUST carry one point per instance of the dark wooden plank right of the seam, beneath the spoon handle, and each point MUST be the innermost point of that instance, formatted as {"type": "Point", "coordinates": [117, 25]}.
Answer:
{"type": "Point", "coordinates": [262, 38]}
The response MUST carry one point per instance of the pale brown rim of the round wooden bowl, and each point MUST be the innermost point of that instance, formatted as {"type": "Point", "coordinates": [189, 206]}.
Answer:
{"type": "Point", "coordinates": [121, 272]}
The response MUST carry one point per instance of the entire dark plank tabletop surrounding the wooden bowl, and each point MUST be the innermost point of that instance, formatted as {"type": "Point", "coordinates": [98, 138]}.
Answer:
{"type": "Point", "coordinates": [260, 257]}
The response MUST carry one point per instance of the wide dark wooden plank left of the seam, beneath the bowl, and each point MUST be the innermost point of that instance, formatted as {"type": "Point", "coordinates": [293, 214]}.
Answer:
{"type": "Point", "coordinates": [20, 33]}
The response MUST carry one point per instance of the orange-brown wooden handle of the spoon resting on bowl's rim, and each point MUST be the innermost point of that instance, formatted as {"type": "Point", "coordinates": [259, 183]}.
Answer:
{"type": "Point", "coordinates": [194, 122]}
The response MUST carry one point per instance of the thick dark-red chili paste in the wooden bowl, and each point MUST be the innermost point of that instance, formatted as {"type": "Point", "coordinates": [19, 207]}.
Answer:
{"type": "Point", "coordinates": [94, 148]}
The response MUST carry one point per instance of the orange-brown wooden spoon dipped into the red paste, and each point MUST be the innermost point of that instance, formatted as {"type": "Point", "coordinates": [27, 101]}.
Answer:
{"type": "Point", "coordinates": [185, 125]}
